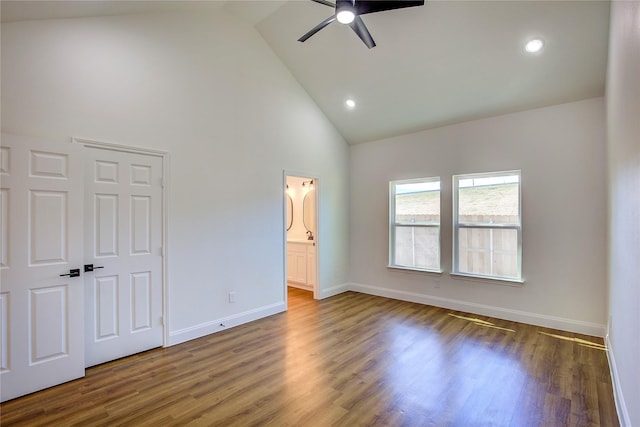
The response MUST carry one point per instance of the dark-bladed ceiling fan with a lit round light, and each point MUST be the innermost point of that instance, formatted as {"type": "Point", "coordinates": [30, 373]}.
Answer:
{"type": "Point", "coordinates": [349, 11]}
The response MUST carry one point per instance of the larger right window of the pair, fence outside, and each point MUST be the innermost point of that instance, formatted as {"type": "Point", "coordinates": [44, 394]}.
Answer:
{"type": "Point", "coordinates": [487, 225]}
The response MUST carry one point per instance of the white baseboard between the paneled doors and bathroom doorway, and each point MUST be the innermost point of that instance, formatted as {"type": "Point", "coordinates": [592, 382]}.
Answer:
{"type": "Point", "coordinates": [203, 329]}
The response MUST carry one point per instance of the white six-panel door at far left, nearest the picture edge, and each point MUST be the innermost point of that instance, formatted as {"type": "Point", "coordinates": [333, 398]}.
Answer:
{"type": "Point", "coordinates": [41, 308]}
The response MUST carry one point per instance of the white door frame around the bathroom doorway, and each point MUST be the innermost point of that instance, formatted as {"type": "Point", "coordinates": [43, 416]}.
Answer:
{"type": "Point", "coordinates": [317, 184]}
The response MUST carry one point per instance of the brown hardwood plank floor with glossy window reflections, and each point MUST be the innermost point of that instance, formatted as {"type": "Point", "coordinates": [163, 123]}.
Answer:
{"type": "Point", "coordinates": [350, 360]}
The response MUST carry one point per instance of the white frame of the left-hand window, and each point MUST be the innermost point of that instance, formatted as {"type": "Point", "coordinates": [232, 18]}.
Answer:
{"type": "Point", "coordinates": [393, 224]}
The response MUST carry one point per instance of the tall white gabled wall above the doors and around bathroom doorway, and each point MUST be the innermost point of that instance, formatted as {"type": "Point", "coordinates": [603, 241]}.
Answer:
{"type": "Point", "coordinates": [205, 87]}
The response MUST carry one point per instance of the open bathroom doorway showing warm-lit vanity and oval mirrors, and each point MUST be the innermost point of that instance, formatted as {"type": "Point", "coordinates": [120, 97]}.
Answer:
{"type": "Point", "coordinates": [301, 233]}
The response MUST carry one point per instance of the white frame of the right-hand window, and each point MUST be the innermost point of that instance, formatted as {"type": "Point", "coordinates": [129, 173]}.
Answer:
{"type": "Point", "coordinates": [457, 225]}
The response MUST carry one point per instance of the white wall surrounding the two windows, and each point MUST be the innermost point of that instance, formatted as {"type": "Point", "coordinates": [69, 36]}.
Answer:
{"type": "Point", "coordinates": [561, 152]}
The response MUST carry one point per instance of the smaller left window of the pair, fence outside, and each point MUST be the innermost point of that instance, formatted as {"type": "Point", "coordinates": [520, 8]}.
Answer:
{"type": "Point", "coordinates": [414, 224]}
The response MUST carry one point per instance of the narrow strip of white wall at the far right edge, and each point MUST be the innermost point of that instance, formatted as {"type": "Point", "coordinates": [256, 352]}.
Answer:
{"type": "Point", "coordinates": [623, 127]}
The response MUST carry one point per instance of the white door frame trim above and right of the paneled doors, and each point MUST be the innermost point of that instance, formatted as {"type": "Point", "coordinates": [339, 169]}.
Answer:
{"type": "Point", "coordinates": [164, 155]}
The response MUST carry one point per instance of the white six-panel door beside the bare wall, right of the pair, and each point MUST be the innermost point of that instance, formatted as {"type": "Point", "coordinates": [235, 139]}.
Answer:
{"type": "Point", "coordinates": [123, 242]}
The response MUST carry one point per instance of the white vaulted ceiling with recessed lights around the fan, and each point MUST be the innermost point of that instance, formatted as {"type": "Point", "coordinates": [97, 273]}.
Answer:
{"type": "Point", "coordinates": [442, 63]}
